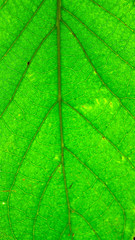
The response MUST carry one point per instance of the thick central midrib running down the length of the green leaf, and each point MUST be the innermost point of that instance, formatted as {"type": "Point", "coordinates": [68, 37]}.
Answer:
{"type": "Point", "coordinates": [60, 105]}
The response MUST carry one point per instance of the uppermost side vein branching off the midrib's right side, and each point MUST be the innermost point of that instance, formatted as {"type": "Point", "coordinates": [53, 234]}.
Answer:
{"type": "Point", "coordinates": [98, 37]}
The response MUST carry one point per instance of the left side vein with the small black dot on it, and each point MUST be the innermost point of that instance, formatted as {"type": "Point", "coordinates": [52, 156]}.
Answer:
{"type": "Point", "coordinates": [18, 85]}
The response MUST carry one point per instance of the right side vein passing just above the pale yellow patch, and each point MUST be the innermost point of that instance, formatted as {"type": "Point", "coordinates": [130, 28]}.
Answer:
{"type": "Point", "coordinates": [88, 58]}
